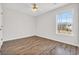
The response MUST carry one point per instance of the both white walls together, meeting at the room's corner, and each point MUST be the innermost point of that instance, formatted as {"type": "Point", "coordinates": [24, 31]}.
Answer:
{"type": "Point", "coordinates": [18, 25]}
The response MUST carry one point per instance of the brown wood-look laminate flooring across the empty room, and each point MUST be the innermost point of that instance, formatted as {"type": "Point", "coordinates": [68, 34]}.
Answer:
{"type": "Point", "coordinates": [37, 46]}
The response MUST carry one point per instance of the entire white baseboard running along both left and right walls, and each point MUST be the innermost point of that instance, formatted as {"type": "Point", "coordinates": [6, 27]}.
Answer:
{"type": "Point", "coordinates": [70, 43]}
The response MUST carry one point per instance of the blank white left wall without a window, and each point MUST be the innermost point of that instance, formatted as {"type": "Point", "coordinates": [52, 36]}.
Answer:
{"type": "Point", "coordinates": [17, 24]}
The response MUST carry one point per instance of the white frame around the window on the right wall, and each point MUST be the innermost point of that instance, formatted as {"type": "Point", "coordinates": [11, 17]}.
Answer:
{"type": "Point", "coordinates": [60, 12]}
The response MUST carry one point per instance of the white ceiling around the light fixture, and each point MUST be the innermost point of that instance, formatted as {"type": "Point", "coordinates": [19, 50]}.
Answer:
{"type": "Point", "coordinates": [27, 7]}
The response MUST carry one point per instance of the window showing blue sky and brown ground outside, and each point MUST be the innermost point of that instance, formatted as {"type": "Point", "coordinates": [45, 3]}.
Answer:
{"type": "Point", "coordinates": [64, 22]}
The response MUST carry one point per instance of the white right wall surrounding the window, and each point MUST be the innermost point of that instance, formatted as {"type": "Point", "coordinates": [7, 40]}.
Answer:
{"type": "Point", "coordinates": [46, 26]}
